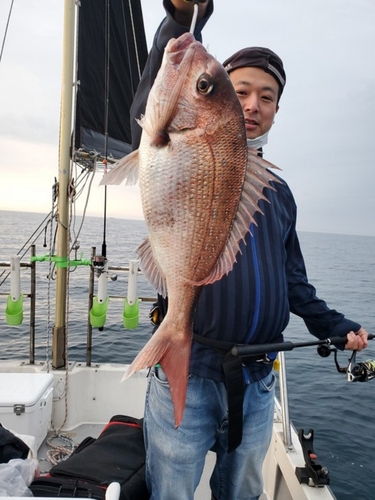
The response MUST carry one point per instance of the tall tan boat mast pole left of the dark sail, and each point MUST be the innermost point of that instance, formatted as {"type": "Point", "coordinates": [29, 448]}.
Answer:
{"type": "Point", "coordinates": [59, 329]}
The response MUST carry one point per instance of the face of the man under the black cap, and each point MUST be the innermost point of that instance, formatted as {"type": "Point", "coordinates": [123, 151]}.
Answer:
{"type": "Point", "coordinates": [258, 93]}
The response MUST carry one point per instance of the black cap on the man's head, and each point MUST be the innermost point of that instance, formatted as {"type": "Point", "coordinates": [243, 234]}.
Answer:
{"type": "Point", "coordinates": [258, 57]}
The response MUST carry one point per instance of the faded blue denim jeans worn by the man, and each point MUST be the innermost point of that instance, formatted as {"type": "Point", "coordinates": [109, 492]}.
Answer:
{"type": "Point", "coordinates": [175, 457]}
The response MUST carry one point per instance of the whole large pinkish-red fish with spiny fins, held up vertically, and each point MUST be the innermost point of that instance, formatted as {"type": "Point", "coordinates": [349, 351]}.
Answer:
{"type": "Point", "coordinates": [200, 186]}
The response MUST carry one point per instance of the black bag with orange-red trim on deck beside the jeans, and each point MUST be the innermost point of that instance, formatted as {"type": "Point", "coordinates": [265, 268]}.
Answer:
{"type": "Point", "coordinates": [118, 454]}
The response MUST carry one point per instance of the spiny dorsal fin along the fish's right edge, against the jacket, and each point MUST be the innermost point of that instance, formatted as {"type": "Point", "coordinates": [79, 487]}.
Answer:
{"type": "Point", "coordinates": [257, 177]}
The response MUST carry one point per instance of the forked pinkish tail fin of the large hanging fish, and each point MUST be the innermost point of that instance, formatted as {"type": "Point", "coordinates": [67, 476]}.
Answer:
{"type": "Point", "coordinates": [172, 351]}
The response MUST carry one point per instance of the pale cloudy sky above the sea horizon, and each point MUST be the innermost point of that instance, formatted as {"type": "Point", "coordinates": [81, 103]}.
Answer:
{"type": "Point", "coordinates": [323, 138]}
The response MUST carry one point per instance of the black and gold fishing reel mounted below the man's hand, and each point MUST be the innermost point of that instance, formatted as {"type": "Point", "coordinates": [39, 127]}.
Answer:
{"type": "Point", "coordinates": [361, 371]}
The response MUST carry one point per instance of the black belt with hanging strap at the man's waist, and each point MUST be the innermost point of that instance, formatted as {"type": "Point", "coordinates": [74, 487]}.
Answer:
{"type": "Point", "coordinates": [234, 381]}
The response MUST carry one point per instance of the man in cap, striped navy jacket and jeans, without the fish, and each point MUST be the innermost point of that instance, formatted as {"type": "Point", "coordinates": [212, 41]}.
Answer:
{"type": "Point", "coordinates": [229, 406]}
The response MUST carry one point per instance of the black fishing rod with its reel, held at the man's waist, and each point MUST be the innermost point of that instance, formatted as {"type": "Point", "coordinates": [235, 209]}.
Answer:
{"type": "Point", "coordinates": [361, 371]}
